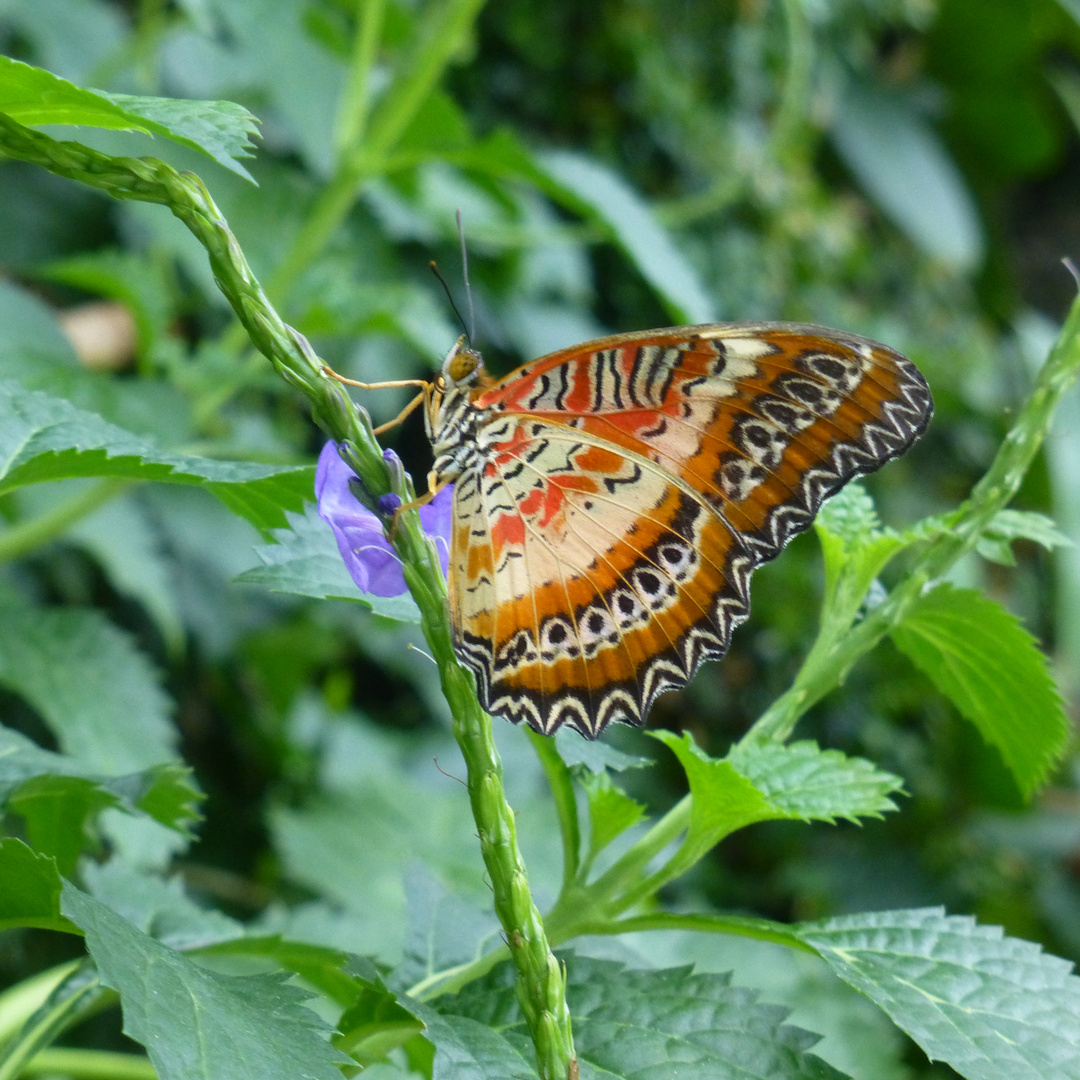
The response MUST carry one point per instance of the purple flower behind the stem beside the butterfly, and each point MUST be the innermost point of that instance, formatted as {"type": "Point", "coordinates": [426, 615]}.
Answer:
{"type": "Point", "coordinates": [371, 561]}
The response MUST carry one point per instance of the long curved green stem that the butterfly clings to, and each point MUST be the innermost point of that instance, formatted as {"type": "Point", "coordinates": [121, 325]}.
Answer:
{"type": "Point", "coordinates": [542, 982]}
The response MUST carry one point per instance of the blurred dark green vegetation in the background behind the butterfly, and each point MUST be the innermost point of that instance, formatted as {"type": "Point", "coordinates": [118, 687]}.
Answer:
{"type": "Point", "coordinates": [904, 169]}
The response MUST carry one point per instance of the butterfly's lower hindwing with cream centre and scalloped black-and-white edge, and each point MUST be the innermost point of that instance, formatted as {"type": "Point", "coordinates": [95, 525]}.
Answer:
{"type": "Point", "coordinates": [599, 585]}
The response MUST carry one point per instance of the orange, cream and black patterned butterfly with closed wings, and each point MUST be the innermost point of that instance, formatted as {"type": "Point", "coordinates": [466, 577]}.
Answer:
{"type": "Point", "coordinates": [613, 499]}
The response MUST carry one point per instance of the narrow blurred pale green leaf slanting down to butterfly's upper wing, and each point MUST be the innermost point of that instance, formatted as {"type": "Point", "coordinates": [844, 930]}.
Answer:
{"type": "Point", "coordinates": [609, 198]}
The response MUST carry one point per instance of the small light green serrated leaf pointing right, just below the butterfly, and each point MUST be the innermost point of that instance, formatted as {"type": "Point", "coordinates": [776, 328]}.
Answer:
{"type": "Point", "coordinates": [815, 785]}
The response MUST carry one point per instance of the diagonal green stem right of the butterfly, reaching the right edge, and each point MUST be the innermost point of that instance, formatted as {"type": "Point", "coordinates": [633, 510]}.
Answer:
{"type": "Point", "coordinates": [830, 663]}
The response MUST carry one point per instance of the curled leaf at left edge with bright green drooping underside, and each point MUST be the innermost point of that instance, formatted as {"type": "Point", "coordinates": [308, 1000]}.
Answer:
{"type": "Point", "coordinates": [58, 796]}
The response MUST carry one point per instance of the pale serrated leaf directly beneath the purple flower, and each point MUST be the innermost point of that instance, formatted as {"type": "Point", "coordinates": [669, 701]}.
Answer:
{"type": "Point", "coordinates": [305, 561]}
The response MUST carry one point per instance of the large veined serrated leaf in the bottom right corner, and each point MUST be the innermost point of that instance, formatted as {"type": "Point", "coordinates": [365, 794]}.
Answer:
{"type": "Point", "coordinates": [994, 1008]}
